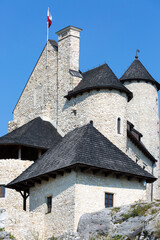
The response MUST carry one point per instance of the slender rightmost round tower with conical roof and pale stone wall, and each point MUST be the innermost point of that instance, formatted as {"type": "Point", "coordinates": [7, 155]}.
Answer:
{"type": "Point", "coordinates": [142, 110]}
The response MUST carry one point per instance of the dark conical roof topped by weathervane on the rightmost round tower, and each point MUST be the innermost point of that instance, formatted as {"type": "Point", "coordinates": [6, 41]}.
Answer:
{"type": "Point", "coordinates": [137, 71]}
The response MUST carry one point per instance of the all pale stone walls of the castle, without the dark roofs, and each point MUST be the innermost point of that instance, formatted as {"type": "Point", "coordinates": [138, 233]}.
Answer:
{"type": "Point", "coordinates": [43, 96]}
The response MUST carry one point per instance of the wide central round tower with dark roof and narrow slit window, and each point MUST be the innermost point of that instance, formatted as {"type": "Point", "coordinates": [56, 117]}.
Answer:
{"type": "Point", "coordinates": [102, 98]}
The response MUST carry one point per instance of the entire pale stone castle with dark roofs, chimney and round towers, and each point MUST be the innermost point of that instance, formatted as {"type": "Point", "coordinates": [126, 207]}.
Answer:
{"type": "Point", "coordinates": [79, 142]}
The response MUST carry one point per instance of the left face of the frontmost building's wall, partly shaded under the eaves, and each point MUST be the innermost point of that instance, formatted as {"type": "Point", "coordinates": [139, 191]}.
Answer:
{"type": "Point", "coordinates": [62, 190]}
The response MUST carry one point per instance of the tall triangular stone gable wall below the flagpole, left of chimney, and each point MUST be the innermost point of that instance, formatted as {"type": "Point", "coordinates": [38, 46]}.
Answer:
{"type": "Point", "coordinates": [39, 95]}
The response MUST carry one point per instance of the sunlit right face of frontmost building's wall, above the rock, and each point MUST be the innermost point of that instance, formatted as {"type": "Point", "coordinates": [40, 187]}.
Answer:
{"type": "Point", "coordinates": [90, 192]}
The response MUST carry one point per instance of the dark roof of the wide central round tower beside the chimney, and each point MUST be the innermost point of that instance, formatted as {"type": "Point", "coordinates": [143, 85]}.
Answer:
{"type": "Point", "coordinates": [101, 77]}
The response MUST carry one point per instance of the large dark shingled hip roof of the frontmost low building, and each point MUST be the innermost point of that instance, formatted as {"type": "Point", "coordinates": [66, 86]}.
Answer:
{"type": "Point", "coordinates": [83, 146]}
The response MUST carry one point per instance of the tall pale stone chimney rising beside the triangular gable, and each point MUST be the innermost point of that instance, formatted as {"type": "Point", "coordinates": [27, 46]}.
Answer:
{"type": "Point", "coordinates": [68, 57]}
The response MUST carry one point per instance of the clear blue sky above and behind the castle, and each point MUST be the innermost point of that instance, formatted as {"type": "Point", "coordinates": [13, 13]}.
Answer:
{"type": "Point", "coordinates": [112, 31]}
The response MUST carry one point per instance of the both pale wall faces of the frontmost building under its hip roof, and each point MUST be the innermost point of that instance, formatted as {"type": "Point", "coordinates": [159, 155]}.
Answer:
{"type": "Point", "coordinates": [77, 193]}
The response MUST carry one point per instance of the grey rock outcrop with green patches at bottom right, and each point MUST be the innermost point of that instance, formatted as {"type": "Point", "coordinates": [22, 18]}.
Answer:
{"type": "Point", "coordinates": [137, 221]}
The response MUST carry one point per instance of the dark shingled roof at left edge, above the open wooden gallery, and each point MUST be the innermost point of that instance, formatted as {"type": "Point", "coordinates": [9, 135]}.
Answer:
{"type": "Point", "coordinates": [36, 133]}
